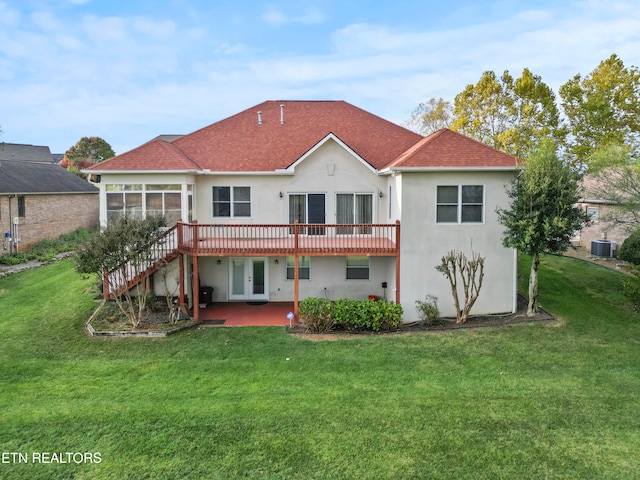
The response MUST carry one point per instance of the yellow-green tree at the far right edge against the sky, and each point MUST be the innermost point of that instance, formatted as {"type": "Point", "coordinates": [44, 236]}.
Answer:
{"type": "Point", "coordinates": [602, 109]}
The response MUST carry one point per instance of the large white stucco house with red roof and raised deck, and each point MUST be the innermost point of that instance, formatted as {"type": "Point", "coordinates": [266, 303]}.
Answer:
{"type": "Point", "coordinates": [291, 199]}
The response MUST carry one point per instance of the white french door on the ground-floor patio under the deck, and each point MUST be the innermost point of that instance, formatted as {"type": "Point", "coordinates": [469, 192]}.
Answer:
{"type": "Point", "coordinates": [248, 278]}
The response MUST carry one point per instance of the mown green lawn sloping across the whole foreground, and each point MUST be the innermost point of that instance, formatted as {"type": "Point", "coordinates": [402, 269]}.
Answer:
{"type": "Point", "coordinates": [527, 401]}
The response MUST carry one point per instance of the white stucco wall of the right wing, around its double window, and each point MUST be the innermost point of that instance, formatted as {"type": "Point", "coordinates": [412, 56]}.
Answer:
{"type": "Point", "coordinates": [424, 242]}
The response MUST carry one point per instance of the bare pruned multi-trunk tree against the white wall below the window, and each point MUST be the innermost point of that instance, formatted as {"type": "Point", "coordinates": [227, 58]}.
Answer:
{"type": "Point", "coordinates": [471, 272]}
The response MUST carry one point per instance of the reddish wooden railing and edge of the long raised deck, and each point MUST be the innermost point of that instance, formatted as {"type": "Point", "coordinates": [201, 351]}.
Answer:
{"type": "Point", "coordinates": [288, 239]}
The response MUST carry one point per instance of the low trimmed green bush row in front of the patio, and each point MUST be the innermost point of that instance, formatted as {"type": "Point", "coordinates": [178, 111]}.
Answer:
{"type": "Point", "coordinates": [320, 315]}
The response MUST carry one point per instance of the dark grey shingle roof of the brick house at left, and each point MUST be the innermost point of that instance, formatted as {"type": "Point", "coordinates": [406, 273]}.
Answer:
{"type": "Point", "coordinates": [24, 169]}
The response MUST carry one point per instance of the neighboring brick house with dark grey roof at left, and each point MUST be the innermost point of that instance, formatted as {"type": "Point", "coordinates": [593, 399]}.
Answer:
{"type": "Point", "coordinates": [40, 200]}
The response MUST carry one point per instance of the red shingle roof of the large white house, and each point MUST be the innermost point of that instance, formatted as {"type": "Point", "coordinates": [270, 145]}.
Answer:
{"type": "Point", "coordinates": [274, 135]}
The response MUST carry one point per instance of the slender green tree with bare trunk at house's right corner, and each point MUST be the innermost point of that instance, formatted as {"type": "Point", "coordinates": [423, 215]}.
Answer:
{"type": "Point", "coordinates": [542, 216]}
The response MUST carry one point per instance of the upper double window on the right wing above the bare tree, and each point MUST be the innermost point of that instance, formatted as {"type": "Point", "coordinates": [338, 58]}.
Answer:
{"type": "Point", "coordinates": [460, 204]}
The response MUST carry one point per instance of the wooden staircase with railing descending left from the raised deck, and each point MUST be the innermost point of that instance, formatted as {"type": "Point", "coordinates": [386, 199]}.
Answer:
{"type": "Point", "coordinates": [138, 269]}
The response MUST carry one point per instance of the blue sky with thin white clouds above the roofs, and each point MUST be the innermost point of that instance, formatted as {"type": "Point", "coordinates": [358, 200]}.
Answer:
{"type": "Point", "coordinates": [129, 70]}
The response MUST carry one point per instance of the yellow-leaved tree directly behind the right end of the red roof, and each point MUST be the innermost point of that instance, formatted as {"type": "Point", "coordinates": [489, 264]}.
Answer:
{"type": "Point", "coordinates": [512, 115]}
